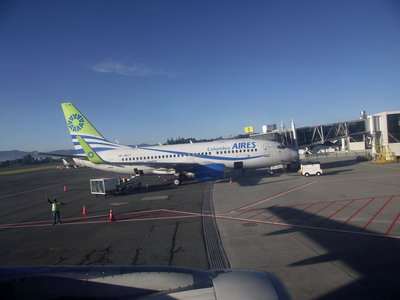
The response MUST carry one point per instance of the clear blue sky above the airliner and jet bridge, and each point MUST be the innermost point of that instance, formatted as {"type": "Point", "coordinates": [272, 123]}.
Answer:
{"type": "Point", "coordinates": [145, 71]}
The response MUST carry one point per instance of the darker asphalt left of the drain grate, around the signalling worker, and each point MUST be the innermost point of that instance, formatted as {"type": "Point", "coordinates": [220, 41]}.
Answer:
{"type": "Point", "coordinates": [147, 230]}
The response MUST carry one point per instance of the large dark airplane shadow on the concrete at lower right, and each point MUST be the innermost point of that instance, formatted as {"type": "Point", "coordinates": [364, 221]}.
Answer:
{"type": "Point", "coordinates": [375, 258]}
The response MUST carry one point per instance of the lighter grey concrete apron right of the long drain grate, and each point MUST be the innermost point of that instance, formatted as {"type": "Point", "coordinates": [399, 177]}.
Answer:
{"type": "Point", "coordinates": [335, 236]}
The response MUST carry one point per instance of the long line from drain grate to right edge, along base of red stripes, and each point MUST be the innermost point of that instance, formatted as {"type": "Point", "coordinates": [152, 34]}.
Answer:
{"type": "Point", "coordinates": [367, 234]}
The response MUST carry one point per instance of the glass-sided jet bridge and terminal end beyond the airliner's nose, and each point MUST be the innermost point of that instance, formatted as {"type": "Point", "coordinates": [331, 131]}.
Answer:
{"type": "Point", "coordinates": [377, 134]}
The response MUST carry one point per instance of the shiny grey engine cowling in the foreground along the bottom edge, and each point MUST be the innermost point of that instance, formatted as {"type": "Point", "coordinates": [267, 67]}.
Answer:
{"type": "Point", "coordinates": [132, 282]}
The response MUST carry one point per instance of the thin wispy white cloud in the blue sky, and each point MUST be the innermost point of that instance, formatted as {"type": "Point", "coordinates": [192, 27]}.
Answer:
{"type": "Point", "coordinates": [128, 69]}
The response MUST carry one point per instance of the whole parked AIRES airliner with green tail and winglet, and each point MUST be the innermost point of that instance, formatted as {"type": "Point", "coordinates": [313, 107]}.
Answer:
{"type": "Point", "coordinates": [199, 161]}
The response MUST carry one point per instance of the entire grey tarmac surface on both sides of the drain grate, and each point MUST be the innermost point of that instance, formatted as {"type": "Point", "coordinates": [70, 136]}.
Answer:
{"type": "Point", "coordinates": [335, 236]}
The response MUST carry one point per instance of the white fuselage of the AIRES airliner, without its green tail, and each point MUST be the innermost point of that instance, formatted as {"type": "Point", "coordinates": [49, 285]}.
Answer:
{"type": "Point", "coordinates": [169, 159]}
